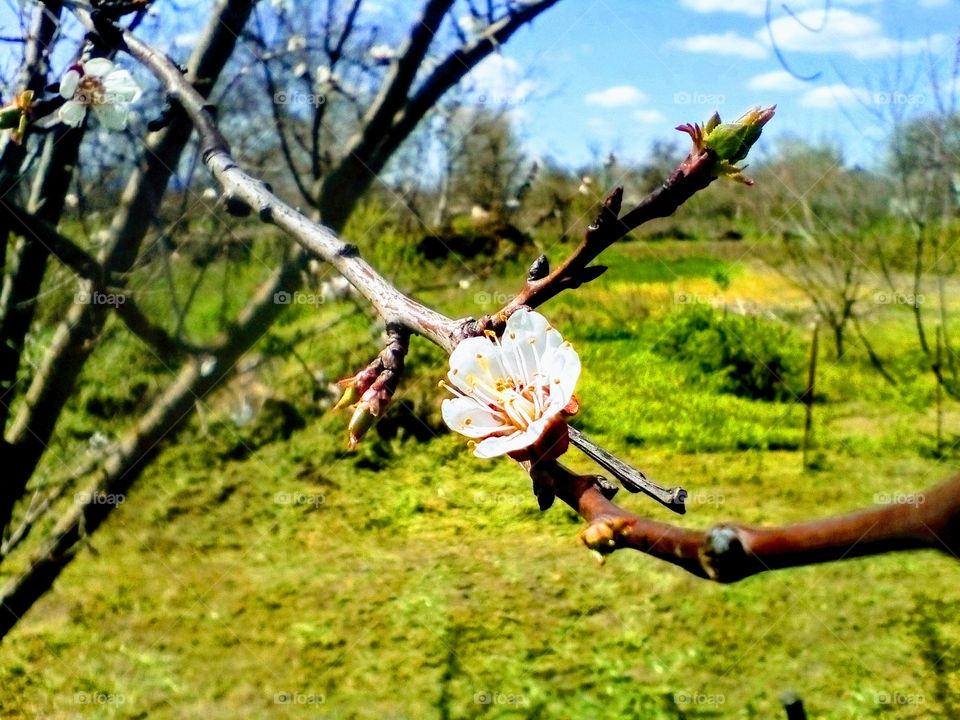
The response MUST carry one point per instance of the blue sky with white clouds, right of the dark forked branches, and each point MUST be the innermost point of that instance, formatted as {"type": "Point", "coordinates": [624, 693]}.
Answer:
{"type": "Point", "coordinates": [595, 76]}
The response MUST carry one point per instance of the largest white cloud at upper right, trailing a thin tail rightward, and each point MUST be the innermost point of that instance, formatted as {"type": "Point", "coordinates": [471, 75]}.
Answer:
{"type": "Point", "coordinates": [843, 32]}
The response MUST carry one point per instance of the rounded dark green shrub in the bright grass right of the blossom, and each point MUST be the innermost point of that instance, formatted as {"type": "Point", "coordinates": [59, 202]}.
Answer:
{"type": "Point", "coordinates": [746, 356]}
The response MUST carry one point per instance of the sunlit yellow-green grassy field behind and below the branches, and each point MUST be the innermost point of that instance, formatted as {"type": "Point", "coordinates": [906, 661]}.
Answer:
{"type": "Point", "coordinates": [262, 571]}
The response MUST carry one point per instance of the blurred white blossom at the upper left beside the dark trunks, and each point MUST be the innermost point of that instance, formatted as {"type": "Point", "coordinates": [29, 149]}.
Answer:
{"type": "Point", "coordinates": [101, 85]}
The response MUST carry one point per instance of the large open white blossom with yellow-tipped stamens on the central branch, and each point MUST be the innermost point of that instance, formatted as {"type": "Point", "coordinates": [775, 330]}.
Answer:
{"type": "Point", "coordinates": [514, 394]}
